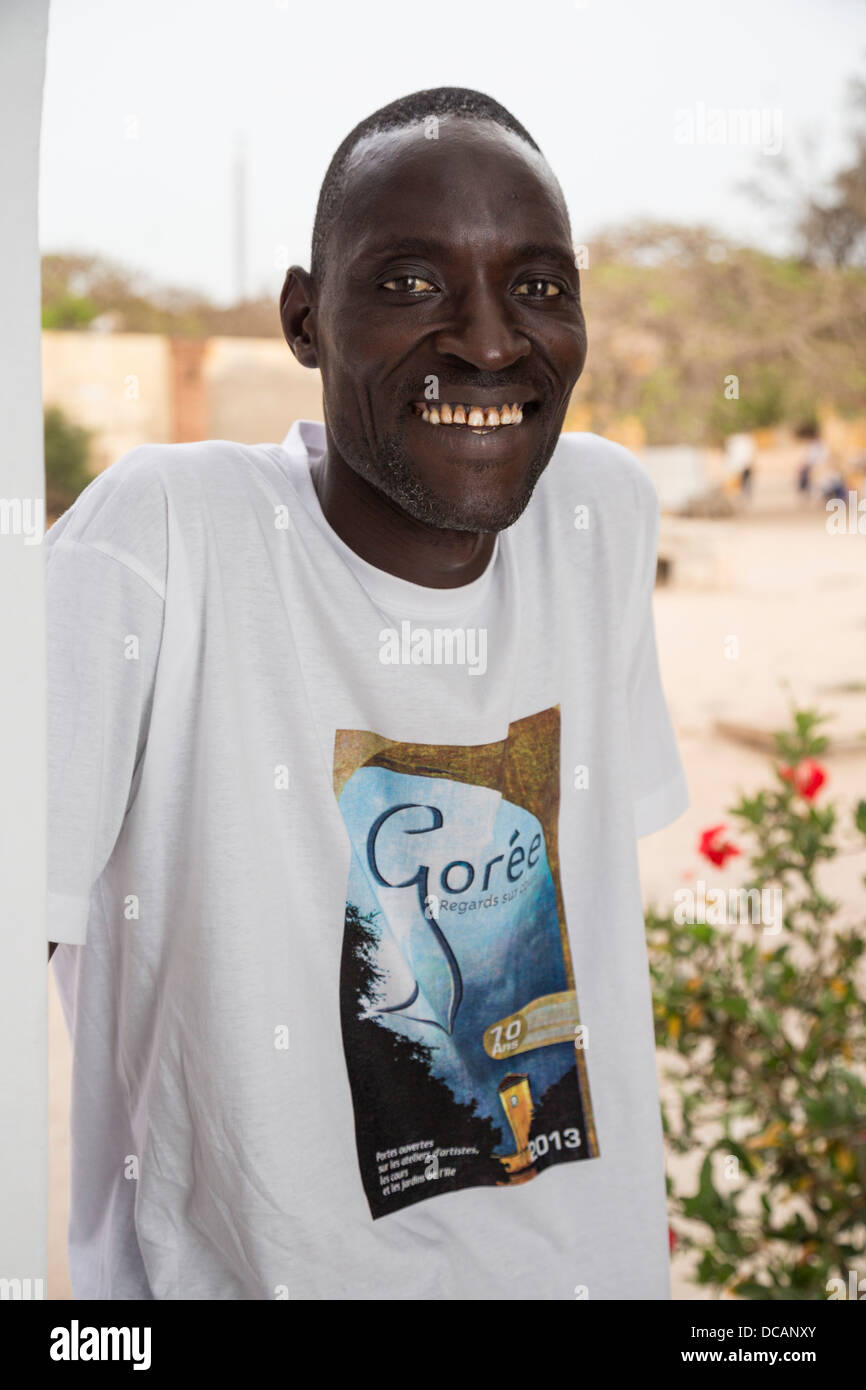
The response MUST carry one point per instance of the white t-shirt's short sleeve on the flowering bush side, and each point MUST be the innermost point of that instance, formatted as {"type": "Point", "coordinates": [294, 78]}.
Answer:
{"type": "Point", "coordinates": [658, 780]}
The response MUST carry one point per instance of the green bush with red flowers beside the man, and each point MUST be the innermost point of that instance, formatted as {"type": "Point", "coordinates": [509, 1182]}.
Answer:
{"type": "Point", "coordinates": [765, 1043]}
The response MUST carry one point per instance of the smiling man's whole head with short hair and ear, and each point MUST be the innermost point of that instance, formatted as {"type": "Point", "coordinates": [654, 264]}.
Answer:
{"type": "Point", "coordinates": [443, 279]}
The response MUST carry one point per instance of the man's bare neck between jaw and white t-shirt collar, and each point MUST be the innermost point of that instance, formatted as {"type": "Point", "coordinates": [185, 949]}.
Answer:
{"type": "Point", "coordinates": [376, 529]}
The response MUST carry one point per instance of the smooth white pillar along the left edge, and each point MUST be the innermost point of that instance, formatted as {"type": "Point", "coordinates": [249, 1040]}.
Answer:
{"type": "Point", "coordinates": [23, 696]}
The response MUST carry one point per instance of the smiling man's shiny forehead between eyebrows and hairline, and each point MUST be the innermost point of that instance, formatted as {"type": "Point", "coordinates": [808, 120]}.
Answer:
{"type": "Point", "coordinates": [394, 176]}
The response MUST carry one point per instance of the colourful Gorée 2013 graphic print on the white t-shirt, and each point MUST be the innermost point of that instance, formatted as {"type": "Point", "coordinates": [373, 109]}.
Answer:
{"type": "Point", "coordinates": [458, 1001]}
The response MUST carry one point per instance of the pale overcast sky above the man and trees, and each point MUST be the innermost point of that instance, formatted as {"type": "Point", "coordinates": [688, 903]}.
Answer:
{"type": "Point", "coordinates": [147, 104]}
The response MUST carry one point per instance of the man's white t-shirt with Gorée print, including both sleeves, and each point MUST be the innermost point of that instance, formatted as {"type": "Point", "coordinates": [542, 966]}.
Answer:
{"type": "Point", "coordinates": [347, 874]}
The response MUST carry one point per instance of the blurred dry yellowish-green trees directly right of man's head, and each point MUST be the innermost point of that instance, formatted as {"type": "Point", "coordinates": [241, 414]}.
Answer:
{"type": "Point", "coordinates": [675, 312]}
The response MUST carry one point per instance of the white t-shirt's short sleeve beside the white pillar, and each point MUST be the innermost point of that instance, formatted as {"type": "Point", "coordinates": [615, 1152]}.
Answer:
{"type": "Point", "coordinates": [105, 610]}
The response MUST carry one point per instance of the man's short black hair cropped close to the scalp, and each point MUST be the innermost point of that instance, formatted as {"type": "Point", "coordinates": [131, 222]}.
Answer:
{"type": "Point", "coordinates": [407, 111]}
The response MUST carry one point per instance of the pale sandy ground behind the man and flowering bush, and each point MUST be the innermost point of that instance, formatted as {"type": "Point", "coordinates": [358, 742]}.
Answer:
{"type": "Point", "coordinates": [794, 600]}
